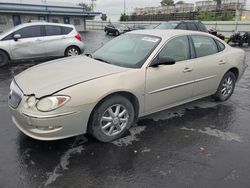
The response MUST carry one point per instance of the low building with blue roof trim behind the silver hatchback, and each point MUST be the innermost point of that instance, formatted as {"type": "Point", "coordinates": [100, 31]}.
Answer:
{"type": "Point", "coordinates": [17, 12]}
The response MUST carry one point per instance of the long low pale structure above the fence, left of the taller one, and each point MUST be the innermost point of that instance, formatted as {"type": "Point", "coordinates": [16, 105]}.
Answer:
{"type": "Point", "coordinates": [177, 8]}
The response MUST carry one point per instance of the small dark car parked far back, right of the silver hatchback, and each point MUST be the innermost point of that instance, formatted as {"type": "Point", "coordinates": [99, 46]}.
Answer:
{"type": "Point", "coordinates": [116, 29]}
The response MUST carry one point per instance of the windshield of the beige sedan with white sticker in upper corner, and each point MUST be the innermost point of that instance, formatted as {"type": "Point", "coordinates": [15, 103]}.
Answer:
{"type": "Point", "coordinates": [128, 50]}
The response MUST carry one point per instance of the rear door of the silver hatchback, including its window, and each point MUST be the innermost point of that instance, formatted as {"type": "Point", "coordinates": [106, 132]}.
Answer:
{"type": "Point", "coordinates": [56, 39]}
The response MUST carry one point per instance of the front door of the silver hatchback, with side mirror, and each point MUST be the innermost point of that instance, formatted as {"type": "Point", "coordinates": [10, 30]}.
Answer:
{"type": "Point", "coordinates": [30, 45]}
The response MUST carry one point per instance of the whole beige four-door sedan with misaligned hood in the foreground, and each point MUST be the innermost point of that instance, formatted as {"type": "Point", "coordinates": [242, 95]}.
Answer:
{"type": "Point", "coordinates": [133, 75]}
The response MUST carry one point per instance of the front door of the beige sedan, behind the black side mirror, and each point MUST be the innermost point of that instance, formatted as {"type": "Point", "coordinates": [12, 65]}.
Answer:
{"type": "Point", "coordinates": [170, 84]}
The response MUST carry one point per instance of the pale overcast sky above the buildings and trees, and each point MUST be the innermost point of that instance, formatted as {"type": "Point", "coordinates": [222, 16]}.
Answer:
{"type": "Point", "coordinates": [113, 8]}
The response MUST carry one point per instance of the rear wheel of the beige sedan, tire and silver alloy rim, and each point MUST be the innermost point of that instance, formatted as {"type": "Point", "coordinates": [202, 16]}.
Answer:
{"type": "Point", "coordinates": [226, 87]}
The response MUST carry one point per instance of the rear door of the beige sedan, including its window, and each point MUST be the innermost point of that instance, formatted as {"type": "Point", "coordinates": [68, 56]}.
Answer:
{"type": "Point", "coordinates": [208, 64]}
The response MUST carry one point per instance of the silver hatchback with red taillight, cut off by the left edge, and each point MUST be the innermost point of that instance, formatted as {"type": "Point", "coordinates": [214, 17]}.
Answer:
{"type": "Point", "coordinates": [39, 40]}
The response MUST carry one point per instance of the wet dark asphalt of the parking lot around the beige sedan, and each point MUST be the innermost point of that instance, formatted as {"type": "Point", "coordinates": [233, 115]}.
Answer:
{"type": "Point", "coordinates": [200, 144]}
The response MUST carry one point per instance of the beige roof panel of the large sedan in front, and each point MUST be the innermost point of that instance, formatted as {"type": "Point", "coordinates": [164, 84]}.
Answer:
{"type": "Point", "coordinates": [165, 34]}
